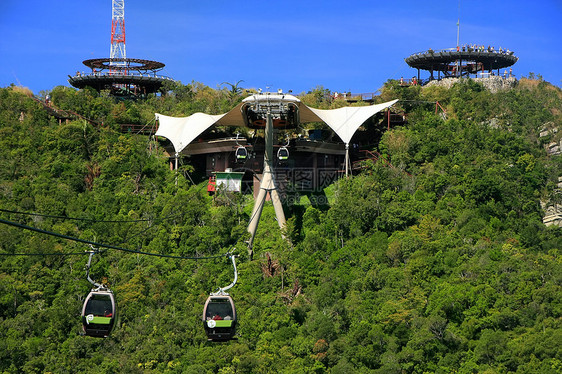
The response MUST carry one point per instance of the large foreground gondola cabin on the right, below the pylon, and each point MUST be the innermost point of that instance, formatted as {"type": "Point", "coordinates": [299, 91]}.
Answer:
{"type": "Point", "coordinates": [219, 318]}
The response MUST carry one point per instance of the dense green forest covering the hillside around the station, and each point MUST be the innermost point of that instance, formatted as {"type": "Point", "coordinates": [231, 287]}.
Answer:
{"type": "Point", "coordinates": [438, 264]}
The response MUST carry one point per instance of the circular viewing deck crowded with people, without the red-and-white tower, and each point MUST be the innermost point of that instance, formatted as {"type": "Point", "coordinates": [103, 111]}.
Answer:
{"type": "Point", "coordinates": [462, 61]}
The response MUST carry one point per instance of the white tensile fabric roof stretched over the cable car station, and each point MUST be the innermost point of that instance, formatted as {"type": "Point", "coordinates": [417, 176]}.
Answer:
{"type": "Point", "coordinates": [343, 121]}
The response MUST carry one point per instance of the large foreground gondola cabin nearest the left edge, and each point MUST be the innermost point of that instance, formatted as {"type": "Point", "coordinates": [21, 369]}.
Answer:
{"type": "Point", "coordinates": [98, 313]}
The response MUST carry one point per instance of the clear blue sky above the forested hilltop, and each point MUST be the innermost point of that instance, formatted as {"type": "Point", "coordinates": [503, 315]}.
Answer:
{"type": "Point", "coordinates": [345, 45]}
